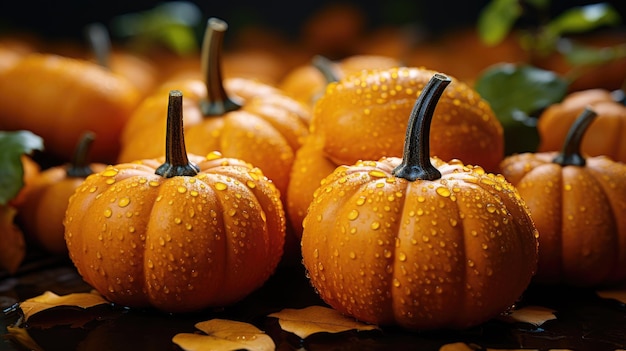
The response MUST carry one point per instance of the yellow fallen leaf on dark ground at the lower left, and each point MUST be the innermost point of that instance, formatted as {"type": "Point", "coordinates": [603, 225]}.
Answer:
{"type": "Point", "coordinates": [49, 300]}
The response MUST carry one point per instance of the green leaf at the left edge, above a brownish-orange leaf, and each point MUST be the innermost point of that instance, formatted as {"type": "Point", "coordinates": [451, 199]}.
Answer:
{"type": "Point", "coordinates": [12, 146]}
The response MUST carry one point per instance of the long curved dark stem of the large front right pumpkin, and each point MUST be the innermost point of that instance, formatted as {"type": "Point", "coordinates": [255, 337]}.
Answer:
{"type": "Point", "coordinates": [416, 157]}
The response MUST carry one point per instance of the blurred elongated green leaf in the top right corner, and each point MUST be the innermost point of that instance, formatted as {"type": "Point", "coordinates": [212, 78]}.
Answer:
{"type": "Point", "coordinates": [584, 19]}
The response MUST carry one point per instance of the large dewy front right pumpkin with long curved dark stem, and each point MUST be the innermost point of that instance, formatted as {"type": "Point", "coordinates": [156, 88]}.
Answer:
{"type": "Point", "coordinates": [418, 242]}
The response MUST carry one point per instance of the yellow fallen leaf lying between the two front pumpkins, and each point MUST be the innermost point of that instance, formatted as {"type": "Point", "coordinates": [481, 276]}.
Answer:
{"type": "Point", "coordinates": [317, 319]}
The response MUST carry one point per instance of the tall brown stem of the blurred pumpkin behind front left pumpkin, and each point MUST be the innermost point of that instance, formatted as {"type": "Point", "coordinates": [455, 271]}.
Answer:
{"type": "Point", "coordinates": [217, 102]}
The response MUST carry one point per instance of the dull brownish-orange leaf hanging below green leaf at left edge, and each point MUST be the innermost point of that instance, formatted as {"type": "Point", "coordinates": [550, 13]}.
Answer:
{"type": "Point", "coordinates": [12, 244]}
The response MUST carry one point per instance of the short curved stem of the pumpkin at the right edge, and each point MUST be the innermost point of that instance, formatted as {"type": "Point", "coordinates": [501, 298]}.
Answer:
{"type": "Point", "coordinates": [570, 153]}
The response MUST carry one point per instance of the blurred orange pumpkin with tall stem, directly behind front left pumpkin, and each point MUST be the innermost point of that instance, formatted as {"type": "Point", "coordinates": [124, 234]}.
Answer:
{"type": "Point", "coordinates": [239, 117]}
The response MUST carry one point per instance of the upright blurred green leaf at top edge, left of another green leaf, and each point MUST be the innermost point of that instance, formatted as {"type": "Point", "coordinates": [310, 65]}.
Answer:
{"type": "Point", "coordinates": [496, 20]}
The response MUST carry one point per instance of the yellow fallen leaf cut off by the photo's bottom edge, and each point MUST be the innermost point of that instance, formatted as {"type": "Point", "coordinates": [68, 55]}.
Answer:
{"type": "Point", "coordinates": [225, 335]}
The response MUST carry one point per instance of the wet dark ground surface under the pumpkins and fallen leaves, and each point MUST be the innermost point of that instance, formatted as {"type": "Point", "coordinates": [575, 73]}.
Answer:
{"type": "Point", "coordinates": [584, 320]}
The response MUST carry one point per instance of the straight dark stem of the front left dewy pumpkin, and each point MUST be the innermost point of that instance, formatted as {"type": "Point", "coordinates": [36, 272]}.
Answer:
{"type": "Point", "coordinates": [176, 160]}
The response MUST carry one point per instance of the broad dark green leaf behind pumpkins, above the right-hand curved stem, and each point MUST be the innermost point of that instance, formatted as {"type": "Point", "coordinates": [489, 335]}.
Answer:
{"type": "Point", "coordinates": [516, 93]}
